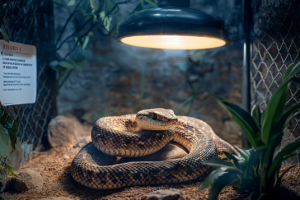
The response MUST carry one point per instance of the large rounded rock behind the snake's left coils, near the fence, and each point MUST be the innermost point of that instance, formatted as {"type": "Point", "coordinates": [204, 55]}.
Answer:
{"type": "Point", "coordinates": [63, 130]}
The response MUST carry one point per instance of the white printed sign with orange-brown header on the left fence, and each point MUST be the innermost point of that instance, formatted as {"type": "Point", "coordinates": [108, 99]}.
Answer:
{"type": "Point", "coordinates": [18, 73]}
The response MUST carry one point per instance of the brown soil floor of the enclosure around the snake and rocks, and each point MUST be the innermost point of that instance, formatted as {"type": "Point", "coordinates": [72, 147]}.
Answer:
{"type": "Point", "coordinates": [54, 166]}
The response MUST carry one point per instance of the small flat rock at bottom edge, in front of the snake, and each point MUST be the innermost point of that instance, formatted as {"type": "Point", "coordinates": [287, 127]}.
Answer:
{"type": "Point", "coordinates": [172, 194]}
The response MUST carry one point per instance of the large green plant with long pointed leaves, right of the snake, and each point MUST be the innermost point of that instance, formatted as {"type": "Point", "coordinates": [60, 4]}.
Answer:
{"type": "Point", "coordinates": [257, 170]}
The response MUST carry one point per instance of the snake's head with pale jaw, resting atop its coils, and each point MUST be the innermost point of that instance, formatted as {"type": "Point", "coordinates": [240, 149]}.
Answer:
{"type": "Point", "coordinates": [156, 119]}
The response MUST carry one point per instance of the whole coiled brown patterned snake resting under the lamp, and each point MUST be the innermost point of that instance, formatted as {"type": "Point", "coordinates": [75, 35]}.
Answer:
{"type": "Point", "coordinates": [140, 135]}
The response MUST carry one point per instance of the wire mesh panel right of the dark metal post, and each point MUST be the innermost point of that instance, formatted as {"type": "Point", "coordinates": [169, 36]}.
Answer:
{"type": "Point", "coordinates": [276, 45]}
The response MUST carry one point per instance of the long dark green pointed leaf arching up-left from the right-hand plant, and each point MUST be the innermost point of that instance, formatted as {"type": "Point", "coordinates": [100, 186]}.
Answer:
{"type": "Point", "coordinates": [244, 119]}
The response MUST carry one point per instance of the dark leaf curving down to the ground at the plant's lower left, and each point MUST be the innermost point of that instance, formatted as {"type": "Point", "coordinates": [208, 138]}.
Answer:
{"type": "Point", "coordinates": [227, 179]}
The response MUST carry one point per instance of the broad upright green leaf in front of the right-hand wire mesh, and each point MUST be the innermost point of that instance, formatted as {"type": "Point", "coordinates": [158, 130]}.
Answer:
{"type": "Point", "coordinates": [273, 111]}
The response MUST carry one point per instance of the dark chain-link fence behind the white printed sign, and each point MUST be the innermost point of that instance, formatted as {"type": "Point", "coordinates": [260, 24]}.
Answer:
{"type": "Point", "coordinates": [31, 22]}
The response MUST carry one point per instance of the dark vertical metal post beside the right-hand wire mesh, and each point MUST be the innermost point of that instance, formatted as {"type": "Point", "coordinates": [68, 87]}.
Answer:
{"type": "Point", "coordinates": [246, 94]}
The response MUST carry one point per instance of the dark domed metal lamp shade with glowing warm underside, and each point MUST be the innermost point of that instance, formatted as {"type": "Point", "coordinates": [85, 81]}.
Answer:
{"type": "Point", "coordinates": [171, 27]}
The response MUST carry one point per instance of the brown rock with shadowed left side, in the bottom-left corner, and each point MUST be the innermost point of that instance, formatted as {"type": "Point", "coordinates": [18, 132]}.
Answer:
{"type": "Point", "coordinates": [28, 179]}
